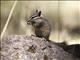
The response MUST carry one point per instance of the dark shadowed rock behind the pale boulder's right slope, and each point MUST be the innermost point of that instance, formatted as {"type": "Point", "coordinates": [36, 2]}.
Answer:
{"type": "Point", "coordinates": [73, 49]}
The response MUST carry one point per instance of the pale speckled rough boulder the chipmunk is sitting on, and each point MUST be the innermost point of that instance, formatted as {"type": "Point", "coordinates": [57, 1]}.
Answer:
{"type": "Point", "coordinates": [22, 47]}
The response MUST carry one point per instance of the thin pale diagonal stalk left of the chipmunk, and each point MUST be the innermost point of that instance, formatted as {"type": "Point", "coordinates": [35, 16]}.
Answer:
{"type": "Point", "coordinates": [7, 22]}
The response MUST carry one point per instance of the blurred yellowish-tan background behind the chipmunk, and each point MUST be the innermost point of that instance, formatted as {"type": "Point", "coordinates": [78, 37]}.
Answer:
{"type": "Point", "coordinates": [64, 17]}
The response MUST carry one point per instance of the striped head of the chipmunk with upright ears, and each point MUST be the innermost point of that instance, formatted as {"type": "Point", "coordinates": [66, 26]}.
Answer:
{"type": "Point", "coordinates": [33, 17]}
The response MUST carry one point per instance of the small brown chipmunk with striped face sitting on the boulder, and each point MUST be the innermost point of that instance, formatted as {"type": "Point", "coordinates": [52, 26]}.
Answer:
{"type": "Point", "coordinates": [40, 24]}
